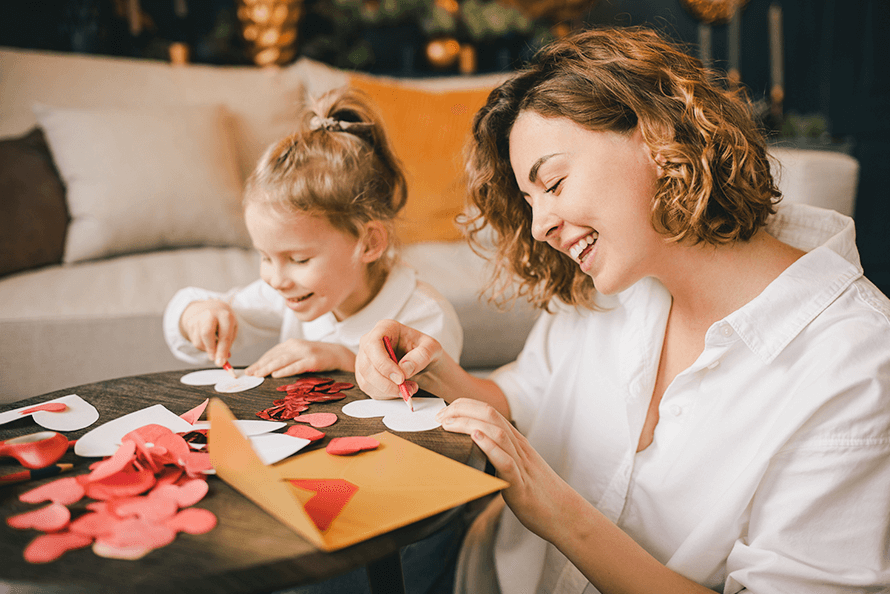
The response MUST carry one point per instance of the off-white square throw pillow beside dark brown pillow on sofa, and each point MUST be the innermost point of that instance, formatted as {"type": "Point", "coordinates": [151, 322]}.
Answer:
{"type": "Point", "coordinates": [146, 178]}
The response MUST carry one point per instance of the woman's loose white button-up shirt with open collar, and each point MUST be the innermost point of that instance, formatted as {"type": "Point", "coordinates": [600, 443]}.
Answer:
{"type": "Point", "coordinates": [770, 466]}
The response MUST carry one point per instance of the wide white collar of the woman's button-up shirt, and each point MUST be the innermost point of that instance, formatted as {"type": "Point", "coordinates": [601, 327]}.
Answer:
{"type": "Point", "coordinates": [775, 317]}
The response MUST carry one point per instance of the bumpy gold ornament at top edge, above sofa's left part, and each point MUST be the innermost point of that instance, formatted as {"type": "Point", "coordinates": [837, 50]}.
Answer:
{"type": "Point", "coordinates": [270, 29]}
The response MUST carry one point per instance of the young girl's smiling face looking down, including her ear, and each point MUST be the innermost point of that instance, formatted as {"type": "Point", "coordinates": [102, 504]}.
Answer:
{"type": "Point", "coordinates": [316, 267]}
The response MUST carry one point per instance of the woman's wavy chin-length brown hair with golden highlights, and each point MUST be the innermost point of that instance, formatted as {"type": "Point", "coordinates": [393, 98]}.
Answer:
{"type": "Point", "coordinates": [716, 185]}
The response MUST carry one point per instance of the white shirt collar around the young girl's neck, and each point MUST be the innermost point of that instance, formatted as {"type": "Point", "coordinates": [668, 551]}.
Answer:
{"type": "Point", "coordinates": [392, 297]}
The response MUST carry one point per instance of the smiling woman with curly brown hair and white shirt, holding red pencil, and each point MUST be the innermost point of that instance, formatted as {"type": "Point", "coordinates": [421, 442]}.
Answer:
{"type": "Point", "coordinates": [705, 403]}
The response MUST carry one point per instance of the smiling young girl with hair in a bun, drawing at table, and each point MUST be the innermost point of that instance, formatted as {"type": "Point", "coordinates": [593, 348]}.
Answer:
{"type": "Point", "coordinates": [319, 208]}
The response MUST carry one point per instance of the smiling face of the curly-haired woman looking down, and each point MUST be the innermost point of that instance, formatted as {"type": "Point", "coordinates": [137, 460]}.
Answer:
{"type": "Point", "coordinates": [591, 196]}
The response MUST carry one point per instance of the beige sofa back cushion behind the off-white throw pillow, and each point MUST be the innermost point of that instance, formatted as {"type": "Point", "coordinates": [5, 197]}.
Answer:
{"type": "Point", "coordinates": [263, 101]}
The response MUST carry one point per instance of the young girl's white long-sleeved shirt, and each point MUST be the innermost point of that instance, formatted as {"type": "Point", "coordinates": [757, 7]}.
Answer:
{"type": "Point", "coordinates": [263, 314]}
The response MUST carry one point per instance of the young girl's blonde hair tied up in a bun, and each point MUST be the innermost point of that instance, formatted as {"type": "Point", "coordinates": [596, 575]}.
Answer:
{"type": "Point", "coordinates": [338, 164]}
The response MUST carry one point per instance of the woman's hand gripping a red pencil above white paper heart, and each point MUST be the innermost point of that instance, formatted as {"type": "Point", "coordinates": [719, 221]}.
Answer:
{"type": "Point", "coordinates": [378, 375]}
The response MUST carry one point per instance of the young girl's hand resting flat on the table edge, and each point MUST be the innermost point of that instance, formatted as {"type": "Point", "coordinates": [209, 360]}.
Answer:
{"type": "Point", "coordinates": [294, 356]}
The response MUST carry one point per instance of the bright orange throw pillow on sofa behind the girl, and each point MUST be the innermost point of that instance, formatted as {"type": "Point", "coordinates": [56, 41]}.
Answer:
{"type": "Point", "coordinates": [428, 131]}
